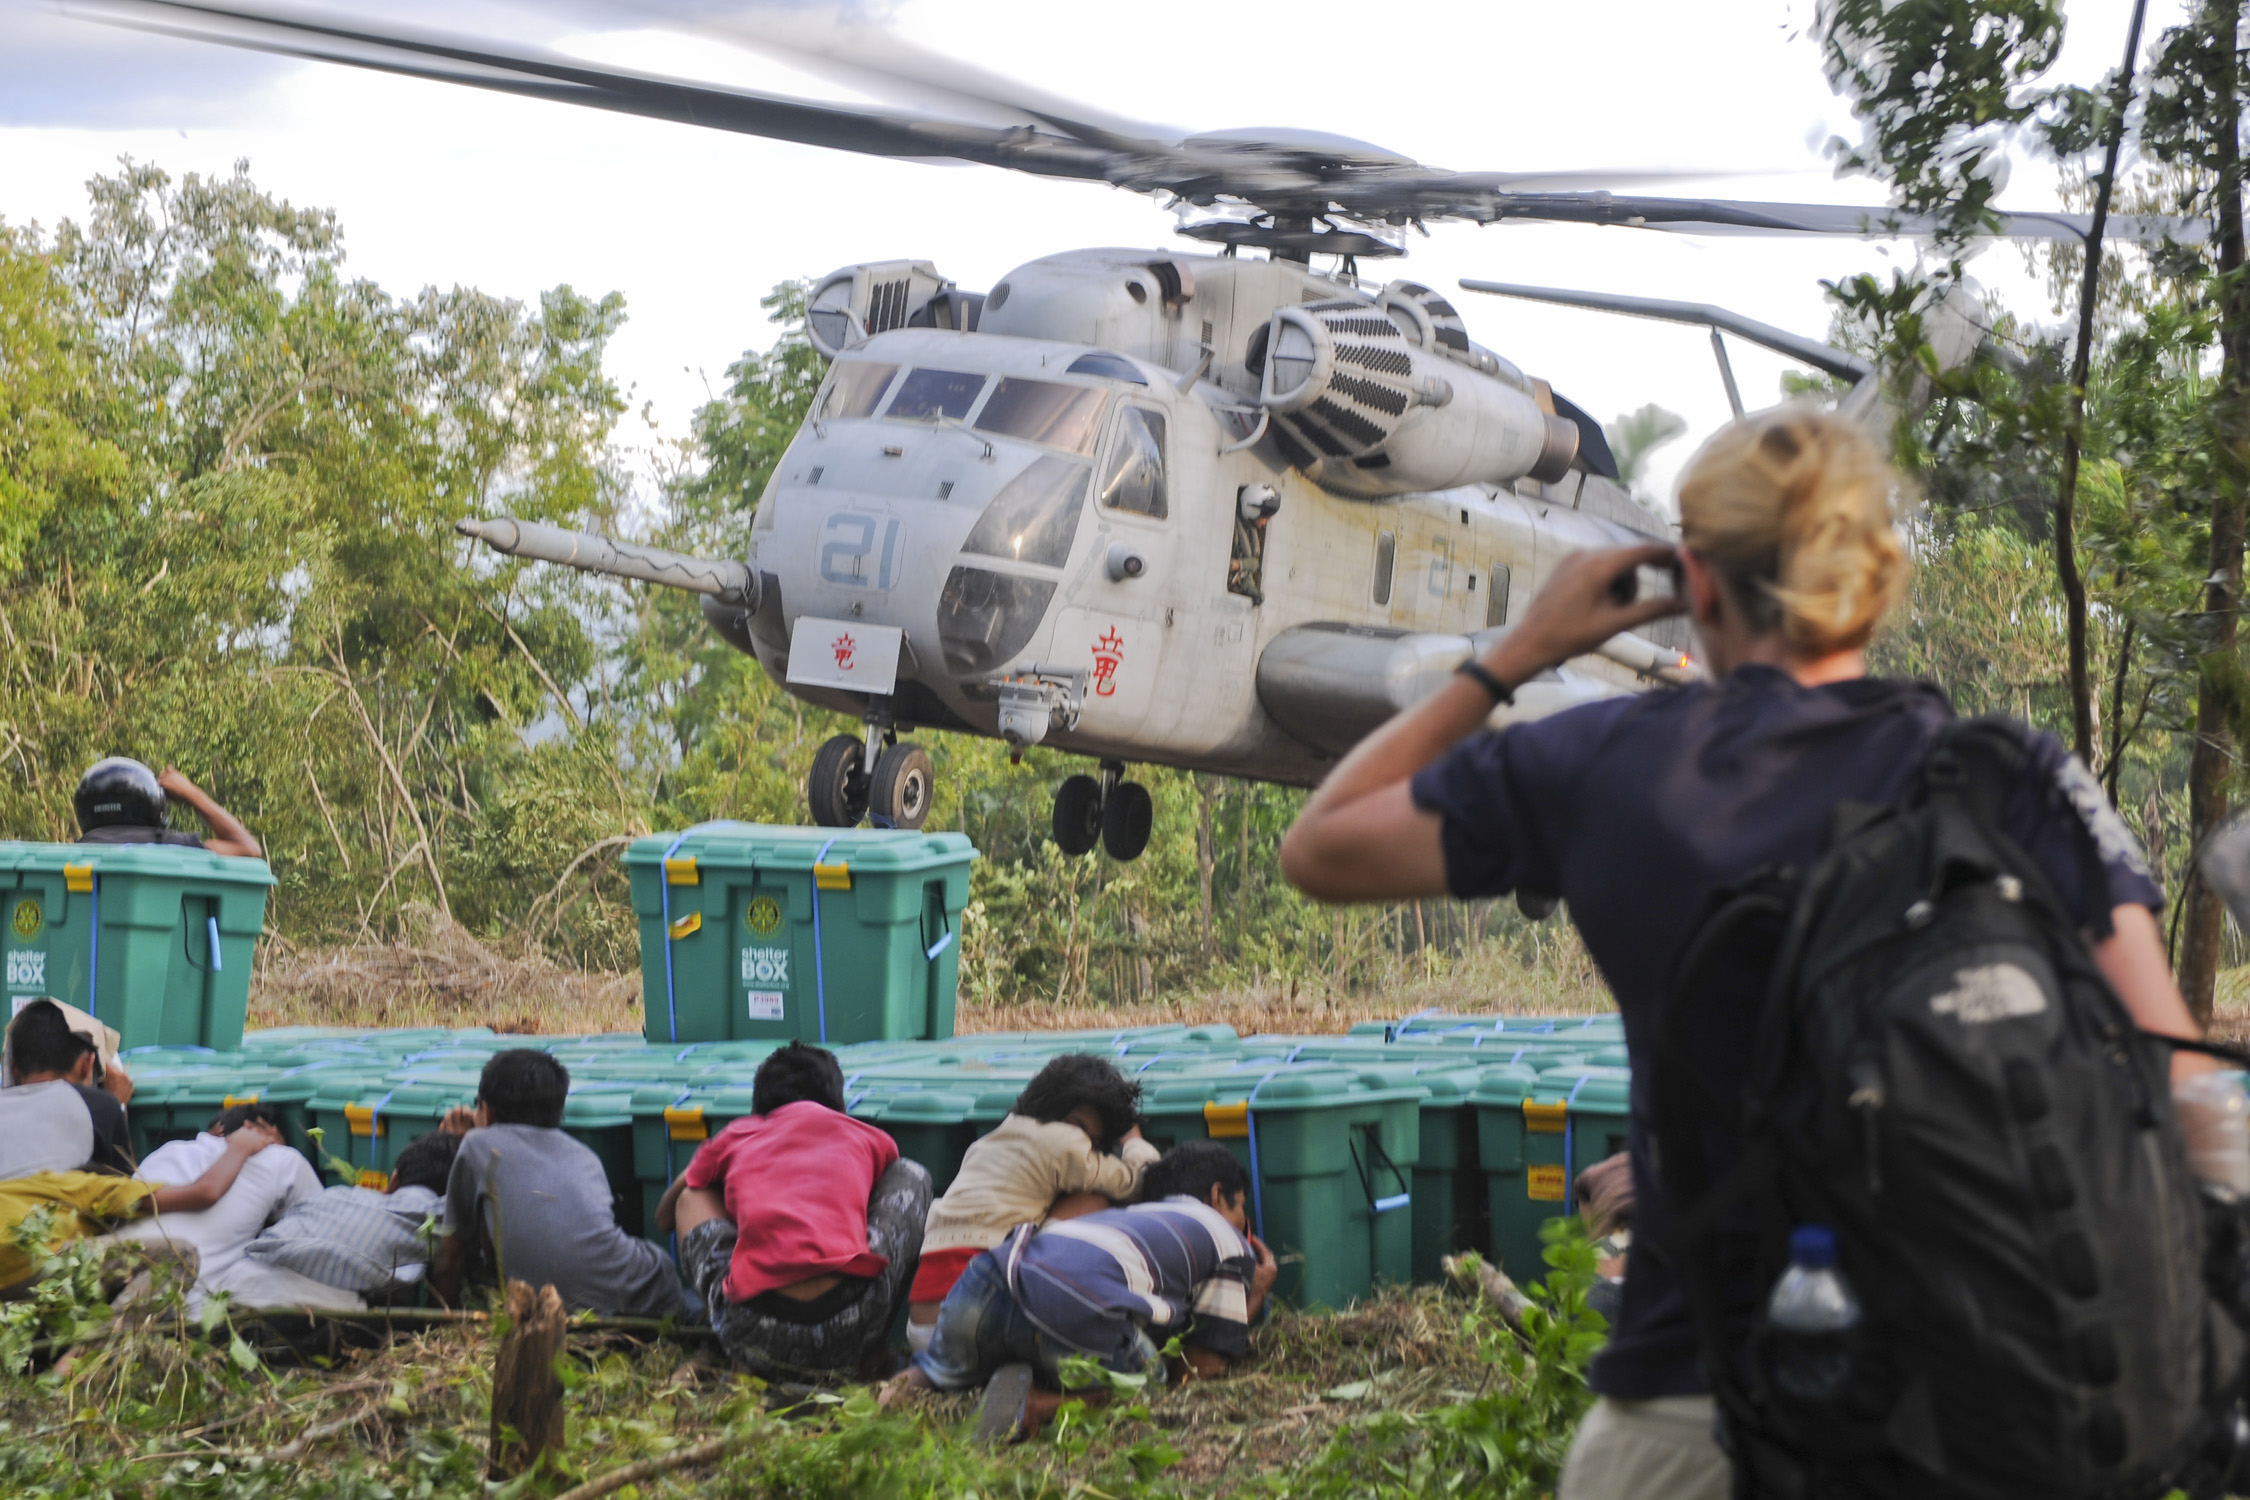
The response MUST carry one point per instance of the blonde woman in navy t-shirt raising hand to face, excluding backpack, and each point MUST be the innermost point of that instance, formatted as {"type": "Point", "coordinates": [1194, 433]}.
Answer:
{"type": "Point", "coordinates": [1639, 811]}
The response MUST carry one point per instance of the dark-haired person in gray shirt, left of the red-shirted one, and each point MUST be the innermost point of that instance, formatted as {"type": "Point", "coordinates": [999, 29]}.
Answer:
{"type": "Point", "coordinates": [530, 1204]}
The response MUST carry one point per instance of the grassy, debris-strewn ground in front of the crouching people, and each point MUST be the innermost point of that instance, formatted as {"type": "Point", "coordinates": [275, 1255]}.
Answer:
{"type": "Point", "coordinates": [172, 1409]}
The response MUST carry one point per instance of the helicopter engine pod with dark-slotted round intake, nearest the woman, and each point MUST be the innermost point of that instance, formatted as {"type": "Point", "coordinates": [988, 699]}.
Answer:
{"type": "Point", "coordinates": [1369, 408]}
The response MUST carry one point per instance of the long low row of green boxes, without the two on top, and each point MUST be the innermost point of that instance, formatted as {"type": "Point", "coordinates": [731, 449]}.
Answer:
{"type": "Point", "coordinates": [1371, 1159]}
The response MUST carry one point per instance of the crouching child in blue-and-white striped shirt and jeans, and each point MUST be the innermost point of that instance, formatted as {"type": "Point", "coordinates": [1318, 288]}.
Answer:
{"type": "Point", "coordinates": [1115, 1287]}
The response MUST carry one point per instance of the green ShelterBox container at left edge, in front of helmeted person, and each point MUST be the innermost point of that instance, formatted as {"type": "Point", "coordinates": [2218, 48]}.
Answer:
{"type": "Point", "coordinates": [143, 937]}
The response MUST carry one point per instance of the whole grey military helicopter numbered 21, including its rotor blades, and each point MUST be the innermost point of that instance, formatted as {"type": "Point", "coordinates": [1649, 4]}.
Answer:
{"type": "Point", "coordinates": [1218, 512]}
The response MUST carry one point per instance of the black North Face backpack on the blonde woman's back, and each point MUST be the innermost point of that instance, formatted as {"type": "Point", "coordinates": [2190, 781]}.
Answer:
{"type": "Point", "coordinates": [1943, 1078]}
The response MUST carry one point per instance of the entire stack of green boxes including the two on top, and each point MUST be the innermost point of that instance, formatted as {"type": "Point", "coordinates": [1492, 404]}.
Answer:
{"type": "Point", "coordinates": [1374, 1155]}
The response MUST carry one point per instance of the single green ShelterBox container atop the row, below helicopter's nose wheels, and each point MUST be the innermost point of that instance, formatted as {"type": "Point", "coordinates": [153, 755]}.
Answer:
{"type": "Point", "coordinates": [831, 934]}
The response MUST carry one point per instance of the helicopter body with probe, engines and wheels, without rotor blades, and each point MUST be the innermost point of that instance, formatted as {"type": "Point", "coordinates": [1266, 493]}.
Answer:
{"type": "Point", "coordinates": [1203, 512]}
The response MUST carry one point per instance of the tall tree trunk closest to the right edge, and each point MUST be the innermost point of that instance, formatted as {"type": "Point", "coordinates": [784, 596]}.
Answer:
{"type": "Point", "coordinates": [2213, 761]}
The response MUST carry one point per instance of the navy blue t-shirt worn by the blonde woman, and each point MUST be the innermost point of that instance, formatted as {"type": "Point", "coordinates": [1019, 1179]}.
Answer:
{"type": "Point", "coordinates": [1637, 811]}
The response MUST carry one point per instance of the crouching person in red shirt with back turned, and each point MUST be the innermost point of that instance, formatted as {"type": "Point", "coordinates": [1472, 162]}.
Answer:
{"type": "Point", "coordinates": [800, 1227]}
